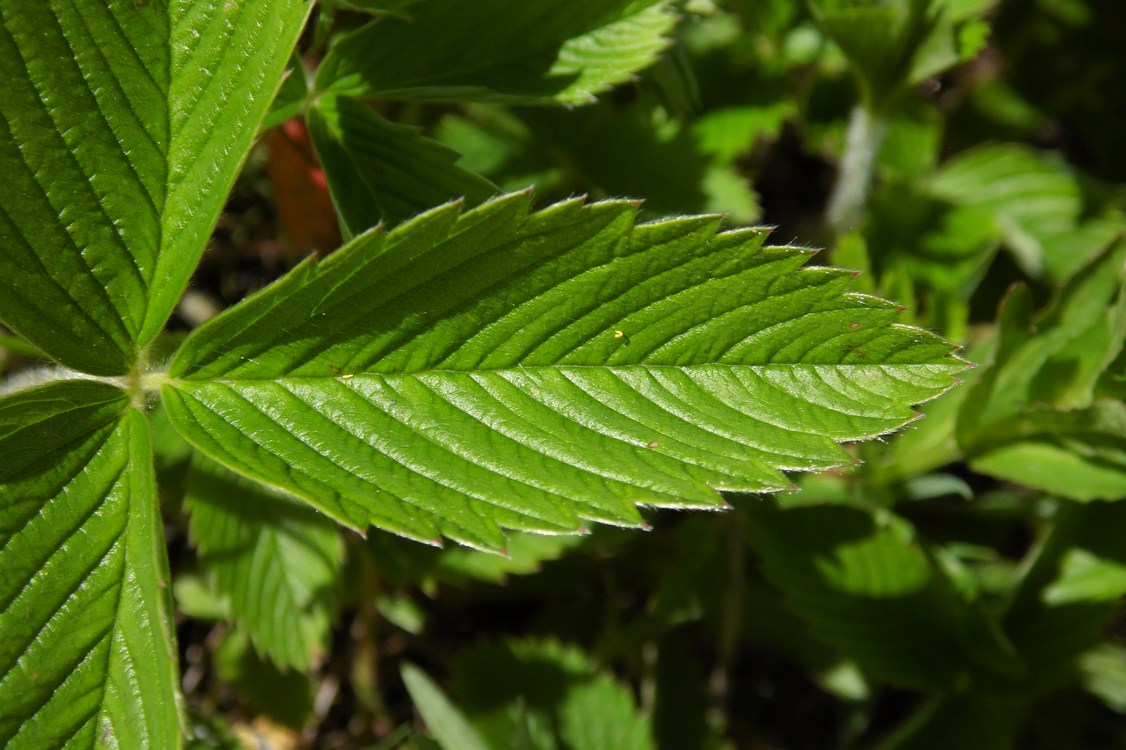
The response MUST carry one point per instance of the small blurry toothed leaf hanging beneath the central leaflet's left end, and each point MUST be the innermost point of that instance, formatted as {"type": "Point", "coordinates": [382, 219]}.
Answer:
{"type": "Point", "coordinates": [274, 559]}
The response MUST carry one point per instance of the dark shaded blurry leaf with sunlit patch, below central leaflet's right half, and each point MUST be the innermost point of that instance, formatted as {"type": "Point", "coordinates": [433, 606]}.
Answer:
{"type": "Point", "coordinates": [865, 586]}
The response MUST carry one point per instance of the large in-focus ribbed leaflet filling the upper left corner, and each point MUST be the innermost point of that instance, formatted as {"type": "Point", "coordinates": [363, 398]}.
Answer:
{"type": "Point", "coordinates": [123, 128]}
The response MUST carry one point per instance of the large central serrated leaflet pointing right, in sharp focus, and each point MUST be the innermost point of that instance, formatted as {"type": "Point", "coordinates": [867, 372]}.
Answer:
{"type": "Point", "coordinates": [498, 369]}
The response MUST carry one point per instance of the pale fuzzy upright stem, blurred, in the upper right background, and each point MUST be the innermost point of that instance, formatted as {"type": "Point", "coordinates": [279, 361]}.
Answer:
{"type": "Point", "coordinates": [862, 146]}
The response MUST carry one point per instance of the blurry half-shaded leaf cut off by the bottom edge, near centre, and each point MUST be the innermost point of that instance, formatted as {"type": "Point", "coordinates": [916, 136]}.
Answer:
{"type": "Point", "coordinates": [550, 695]}
